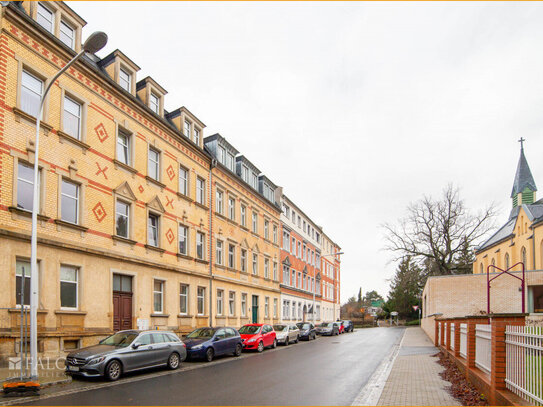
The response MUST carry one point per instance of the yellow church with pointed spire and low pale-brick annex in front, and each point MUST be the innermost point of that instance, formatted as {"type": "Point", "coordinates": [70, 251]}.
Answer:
{"type": "Point", "coordinates": [518, 242]}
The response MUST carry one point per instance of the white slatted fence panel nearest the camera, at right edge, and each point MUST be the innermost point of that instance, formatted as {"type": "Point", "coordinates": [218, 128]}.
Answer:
{"type": "Point", "coordinates": [524, 362]}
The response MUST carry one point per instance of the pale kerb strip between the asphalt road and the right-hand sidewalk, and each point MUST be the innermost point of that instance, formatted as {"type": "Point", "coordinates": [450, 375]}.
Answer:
{"type": "Point", "coordinates": [371, 392]}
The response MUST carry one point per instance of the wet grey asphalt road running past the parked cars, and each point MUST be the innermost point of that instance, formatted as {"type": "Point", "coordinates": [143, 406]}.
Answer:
{"type": "Point", "coordinates": [327, 371]}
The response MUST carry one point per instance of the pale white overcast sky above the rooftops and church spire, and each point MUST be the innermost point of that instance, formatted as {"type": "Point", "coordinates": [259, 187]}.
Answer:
{"type": "Point", "coordinates": [356, 109]}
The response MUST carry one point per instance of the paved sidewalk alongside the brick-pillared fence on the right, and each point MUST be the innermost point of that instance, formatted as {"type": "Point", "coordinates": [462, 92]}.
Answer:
{"type": "Point", "coordinates": [414, 379]}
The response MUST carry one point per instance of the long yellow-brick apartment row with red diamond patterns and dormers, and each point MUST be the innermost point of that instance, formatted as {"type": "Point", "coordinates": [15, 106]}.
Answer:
{"type": "Point", "coordinates": [141, 224]}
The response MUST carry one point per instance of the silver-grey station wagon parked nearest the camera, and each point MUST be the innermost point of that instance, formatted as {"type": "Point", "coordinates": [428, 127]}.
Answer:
{"type": "Point", "coordinates": [127, 351]}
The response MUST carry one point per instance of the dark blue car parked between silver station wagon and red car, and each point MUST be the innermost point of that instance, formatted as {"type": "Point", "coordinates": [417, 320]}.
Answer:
{"type": "Point", "coordinates": [206, 343]}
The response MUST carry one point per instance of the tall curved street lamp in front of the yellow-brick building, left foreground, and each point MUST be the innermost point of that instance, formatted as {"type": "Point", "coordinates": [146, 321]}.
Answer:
{"type": "Point", "coordinates": [94, 43]}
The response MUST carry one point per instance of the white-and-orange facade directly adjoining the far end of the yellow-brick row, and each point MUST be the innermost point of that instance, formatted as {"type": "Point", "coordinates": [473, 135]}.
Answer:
{"type": "Point", "coordinates": [300, 263]}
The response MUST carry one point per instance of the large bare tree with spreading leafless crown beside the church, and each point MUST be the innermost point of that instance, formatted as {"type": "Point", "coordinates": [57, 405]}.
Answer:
{"type": "Point", "coordinates": [438, 234]}
